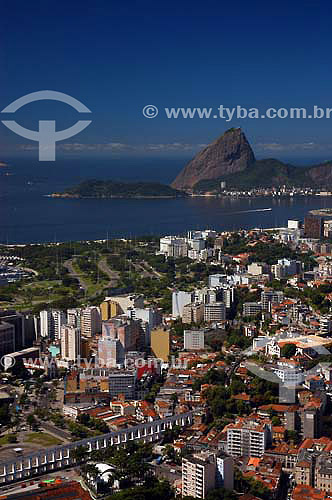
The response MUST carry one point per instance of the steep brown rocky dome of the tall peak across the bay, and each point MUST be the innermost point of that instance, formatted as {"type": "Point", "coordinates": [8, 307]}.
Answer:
{"type": "Point", "coordinates": [229, 154]}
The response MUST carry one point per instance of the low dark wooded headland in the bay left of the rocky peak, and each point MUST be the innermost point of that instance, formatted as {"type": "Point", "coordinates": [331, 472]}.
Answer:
{"type": "Point", "coordinates": [111, 189]}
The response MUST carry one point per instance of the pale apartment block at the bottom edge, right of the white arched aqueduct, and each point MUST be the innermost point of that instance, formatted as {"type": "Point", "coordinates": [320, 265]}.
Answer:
{"type": "Point", "coordinates": [198, 475]}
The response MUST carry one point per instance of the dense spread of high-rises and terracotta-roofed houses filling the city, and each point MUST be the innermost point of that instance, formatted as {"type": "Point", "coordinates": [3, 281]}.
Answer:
{"type": "Point", "coordinates": [234, 330]}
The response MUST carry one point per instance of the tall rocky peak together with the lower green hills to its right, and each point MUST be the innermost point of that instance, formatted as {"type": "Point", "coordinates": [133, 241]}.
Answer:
{"type": "Point", "coordinates": [230, 158]}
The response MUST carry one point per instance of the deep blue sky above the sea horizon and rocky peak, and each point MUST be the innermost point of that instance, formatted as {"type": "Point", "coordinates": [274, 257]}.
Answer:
{"type": "Point", "coordinates": [117, 57]}
